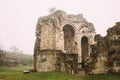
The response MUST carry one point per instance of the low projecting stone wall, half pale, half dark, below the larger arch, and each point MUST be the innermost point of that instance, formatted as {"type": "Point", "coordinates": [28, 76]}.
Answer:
{"type": "Point", "coordinates": [53, 60]}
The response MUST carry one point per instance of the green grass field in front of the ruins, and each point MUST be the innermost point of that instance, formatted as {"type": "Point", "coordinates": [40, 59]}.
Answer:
{"type": "Point", "coordinates": [16, 74]}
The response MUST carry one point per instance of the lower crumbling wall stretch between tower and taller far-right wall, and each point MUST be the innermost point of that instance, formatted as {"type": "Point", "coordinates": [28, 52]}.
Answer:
{"type": "Point", "coordinates": [96, 64]}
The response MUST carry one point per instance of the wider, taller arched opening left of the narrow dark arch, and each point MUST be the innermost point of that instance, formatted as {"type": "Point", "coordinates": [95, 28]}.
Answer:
{"type": "Point", "coordinates": [69, 34]}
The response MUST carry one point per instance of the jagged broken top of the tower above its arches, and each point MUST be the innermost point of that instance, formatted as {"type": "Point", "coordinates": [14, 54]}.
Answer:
{"type": "Point", "coordinates": [59, 17]}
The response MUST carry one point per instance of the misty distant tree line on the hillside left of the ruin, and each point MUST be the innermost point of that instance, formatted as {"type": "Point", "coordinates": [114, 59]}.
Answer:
{"type": "Point", "coordinates": [15, 58]}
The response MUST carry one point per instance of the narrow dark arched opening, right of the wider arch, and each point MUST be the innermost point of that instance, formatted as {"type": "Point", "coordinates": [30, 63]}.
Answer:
{"type": "Point", "coordinates": [84, 46]}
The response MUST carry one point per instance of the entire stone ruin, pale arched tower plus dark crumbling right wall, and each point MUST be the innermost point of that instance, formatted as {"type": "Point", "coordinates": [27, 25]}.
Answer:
{"type": "Point", "coordinates": [68, 43]}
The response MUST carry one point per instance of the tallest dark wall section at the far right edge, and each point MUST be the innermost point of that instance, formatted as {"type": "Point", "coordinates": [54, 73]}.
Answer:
{"type": "Point", "coordinates": [113, 37]}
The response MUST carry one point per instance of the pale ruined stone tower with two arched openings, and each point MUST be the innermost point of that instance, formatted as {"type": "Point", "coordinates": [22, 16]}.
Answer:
{"type": "Point", "coordinates": [62, 33]}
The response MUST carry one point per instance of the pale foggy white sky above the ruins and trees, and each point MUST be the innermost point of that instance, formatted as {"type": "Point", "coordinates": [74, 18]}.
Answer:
{"type": "Point", "coordinates": [18, 18]}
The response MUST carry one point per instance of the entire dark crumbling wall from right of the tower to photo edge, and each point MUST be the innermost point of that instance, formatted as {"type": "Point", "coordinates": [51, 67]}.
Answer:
{"type": "Point", "coordinates": [106, 51]}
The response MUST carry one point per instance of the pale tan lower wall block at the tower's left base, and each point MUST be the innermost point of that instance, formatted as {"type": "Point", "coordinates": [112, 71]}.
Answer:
{"type": "Point", "coordinates": [46, 60]}
